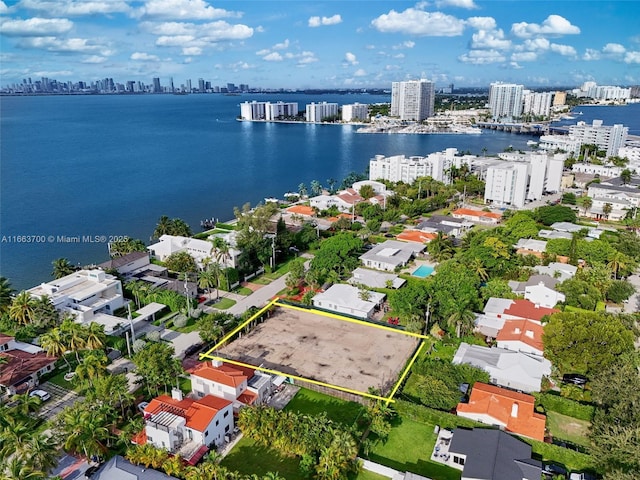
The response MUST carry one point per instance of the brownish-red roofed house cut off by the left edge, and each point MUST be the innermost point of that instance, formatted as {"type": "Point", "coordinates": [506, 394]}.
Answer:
{"type": "Point", "coordinates": [25, 365]}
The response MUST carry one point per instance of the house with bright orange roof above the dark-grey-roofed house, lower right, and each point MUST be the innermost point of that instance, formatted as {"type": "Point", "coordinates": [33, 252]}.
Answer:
{"type": "Point", "coordinates": [511, 411]}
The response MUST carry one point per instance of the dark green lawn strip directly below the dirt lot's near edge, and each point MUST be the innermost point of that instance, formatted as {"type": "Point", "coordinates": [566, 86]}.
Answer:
{"type": "Point", "coordinates": [314, 403]}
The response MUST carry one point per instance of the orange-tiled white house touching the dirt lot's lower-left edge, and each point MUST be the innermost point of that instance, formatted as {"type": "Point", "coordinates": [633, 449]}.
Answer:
{"type": "Point", "coordinates": [241, 386]}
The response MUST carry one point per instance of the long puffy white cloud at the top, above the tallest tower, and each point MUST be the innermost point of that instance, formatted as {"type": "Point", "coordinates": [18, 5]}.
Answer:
{"type": "Point", "coordinates": [417, 22]}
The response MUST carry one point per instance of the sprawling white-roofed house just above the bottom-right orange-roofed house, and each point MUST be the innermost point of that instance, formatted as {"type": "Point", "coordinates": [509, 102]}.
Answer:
{"type": "Point", "coordinates": [507, 368]}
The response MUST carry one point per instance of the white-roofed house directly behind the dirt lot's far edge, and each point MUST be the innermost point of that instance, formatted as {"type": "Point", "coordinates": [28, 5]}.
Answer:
{"type": "Point", "coordinates": [347, 299]}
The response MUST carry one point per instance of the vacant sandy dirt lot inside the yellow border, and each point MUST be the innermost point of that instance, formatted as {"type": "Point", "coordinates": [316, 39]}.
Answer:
{"type": "Point", "coordinates": [320, 348]}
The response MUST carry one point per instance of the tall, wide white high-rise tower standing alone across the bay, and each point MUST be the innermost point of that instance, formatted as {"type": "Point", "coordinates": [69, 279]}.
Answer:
{"type": "Point", "coordinates": [412, 100]}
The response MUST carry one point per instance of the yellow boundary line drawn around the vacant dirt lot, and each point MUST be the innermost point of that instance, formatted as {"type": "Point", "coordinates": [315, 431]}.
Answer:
{"type": "Point", "coordinates": [209, 354]}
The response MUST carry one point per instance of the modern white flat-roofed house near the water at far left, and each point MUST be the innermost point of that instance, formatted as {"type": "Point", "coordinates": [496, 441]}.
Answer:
{"type": "Point", "coordinates": [85, 294]}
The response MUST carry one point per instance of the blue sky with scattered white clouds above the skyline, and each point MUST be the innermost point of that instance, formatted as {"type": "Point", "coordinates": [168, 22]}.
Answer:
{"type": "Point", "coordinates": [324, 44]}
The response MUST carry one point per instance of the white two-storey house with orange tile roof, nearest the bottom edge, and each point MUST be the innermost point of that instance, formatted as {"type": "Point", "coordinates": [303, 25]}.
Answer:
{"type": "Point", "coordinates": [186, 427]}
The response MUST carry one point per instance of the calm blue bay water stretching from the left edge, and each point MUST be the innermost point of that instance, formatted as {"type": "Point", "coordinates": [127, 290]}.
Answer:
{"type": "Point", "coordinates": [112, 165]}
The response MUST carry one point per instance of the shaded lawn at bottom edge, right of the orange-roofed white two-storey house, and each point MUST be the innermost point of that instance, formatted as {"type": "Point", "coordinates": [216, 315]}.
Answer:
{"type": "Point", "coordinates": [247, 457]}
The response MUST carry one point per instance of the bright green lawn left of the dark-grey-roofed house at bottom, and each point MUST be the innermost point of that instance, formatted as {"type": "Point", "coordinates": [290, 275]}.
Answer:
{"type": "Point", "coordinates": [408, 448]}
